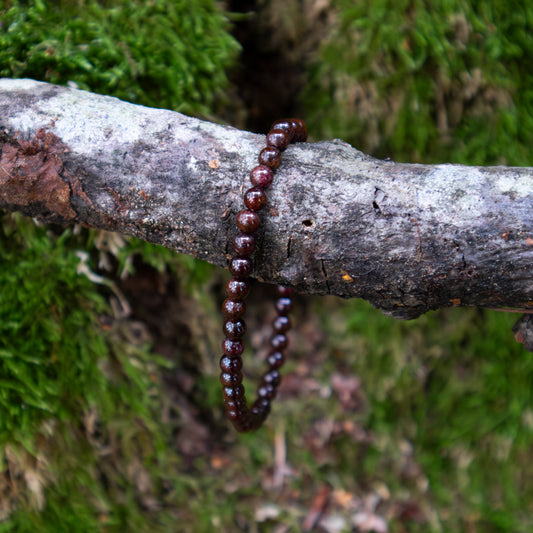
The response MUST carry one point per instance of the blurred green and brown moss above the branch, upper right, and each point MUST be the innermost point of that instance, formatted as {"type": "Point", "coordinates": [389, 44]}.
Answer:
{"type": "Point", "coordinates": [418, 82]}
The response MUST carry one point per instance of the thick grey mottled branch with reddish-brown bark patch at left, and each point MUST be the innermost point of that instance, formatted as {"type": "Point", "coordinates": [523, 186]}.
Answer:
{"type": "Point", "coordinates": [406, 237]}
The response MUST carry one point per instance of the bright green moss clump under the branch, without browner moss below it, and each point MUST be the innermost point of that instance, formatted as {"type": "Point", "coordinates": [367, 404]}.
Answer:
{"type": "Point", "coordinates": [51, 338]}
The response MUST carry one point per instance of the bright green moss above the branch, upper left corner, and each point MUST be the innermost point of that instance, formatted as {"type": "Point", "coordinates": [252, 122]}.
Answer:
{"type": "Point", "coordinates": [161, 54]}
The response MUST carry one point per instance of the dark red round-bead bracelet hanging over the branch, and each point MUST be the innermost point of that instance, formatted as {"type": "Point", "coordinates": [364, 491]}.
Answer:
{"type": "Point", "coordinates": [245, 418]}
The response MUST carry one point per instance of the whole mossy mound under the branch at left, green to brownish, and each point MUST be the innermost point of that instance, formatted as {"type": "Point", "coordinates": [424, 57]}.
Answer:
{"type": "Point", "coordinates": [80, 402]}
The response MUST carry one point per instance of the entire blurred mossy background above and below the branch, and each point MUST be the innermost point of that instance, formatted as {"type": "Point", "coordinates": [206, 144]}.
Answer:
{"type": "Point", "coordinates": [111, 417]}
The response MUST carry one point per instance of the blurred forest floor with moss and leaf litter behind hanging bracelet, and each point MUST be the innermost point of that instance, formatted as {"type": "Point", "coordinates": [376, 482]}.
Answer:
{"type": "Point", "coordinates": [379, 425]}
